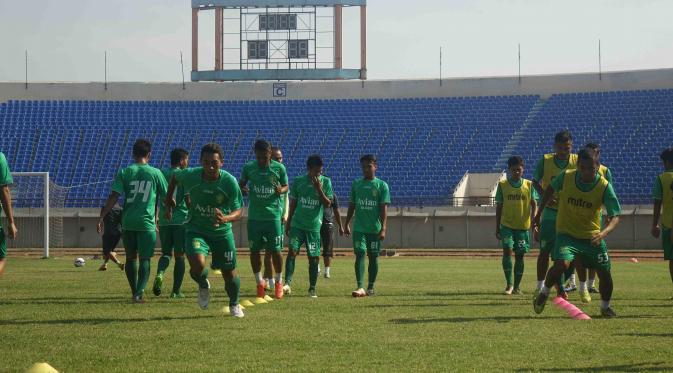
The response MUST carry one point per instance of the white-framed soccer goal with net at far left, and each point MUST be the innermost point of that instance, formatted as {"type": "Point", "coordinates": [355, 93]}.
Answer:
{"type": "Point", "coordinates": [38, 212]}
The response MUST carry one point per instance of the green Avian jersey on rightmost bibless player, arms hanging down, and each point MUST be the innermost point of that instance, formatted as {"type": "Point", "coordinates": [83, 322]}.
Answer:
{"type": "Point", "coordinates": [368, 196]}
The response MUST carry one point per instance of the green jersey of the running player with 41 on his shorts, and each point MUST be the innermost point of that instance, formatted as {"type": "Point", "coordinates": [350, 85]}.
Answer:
{"type": "Point", "coordinates": [207, 196]}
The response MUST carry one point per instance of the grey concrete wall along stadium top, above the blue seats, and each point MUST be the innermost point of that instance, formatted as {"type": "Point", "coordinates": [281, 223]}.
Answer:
{"type": "Point", "coordinates": [544, 85]}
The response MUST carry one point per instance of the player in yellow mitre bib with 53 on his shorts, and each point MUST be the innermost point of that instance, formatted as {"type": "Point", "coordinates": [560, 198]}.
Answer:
{"type": "Point", "coordinates": [581, 195]}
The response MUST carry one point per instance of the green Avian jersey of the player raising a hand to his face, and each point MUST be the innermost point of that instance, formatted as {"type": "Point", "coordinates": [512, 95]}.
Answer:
{"type": "Point", "coordinates": [309, 210]}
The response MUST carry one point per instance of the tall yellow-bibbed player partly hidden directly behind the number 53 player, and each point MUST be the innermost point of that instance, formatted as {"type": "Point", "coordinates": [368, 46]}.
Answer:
{"type": "Point", "coordinates": [546, 171]}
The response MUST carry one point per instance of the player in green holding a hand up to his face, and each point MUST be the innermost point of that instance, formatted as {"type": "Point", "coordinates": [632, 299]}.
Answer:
{"type": "Point", "coordinates": [309, 195]}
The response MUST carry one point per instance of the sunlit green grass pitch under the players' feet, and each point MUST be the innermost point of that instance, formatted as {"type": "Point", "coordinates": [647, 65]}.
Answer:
{"type": "Point", "coordinates": [430, 314]}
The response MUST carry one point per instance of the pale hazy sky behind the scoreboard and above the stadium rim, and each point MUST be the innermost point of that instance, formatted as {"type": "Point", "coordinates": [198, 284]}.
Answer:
{"type": "Point", "coordinates": [66, 39]}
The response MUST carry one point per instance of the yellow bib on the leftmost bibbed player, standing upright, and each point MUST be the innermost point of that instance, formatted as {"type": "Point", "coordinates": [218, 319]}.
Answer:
{"type": "Point", "coordinates": [516, 205]}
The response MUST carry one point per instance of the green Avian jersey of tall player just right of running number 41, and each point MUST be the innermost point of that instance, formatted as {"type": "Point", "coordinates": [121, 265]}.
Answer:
{"type": "Point", "coordinates": [265, 204]}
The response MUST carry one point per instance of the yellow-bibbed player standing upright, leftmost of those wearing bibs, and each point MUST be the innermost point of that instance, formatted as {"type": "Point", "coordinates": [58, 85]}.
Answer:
{"type": "Point", "coordinates": [516, 204]}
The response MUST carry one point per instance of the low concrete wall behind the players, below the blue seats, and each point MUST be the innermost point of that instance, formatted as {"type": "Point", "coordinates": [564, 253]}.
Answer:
{"type": "Point", "coordinates": [455, 228]}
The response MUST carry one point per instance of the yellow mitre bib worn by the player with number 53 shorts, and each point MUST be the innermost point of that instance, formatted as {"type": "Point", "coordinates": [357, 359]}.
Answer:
{"type": "Point", "coordinates": [579, 213]}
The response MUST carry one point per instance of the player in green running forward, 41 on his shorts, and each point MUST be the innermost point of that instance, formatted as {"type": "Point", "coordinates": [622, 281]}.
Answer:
{"type": "Point", "coordinates": [215, 202]}
